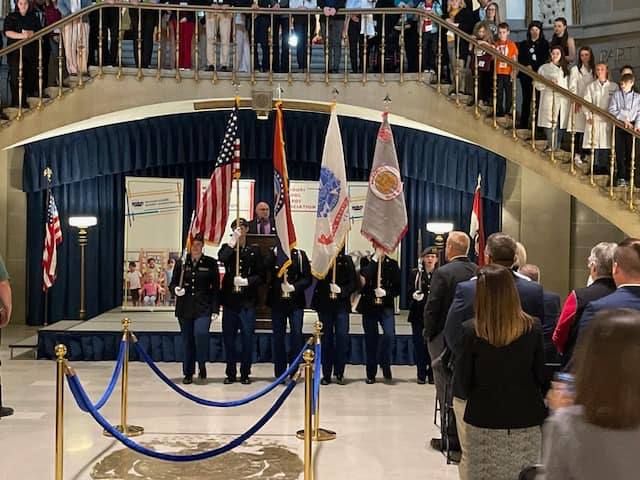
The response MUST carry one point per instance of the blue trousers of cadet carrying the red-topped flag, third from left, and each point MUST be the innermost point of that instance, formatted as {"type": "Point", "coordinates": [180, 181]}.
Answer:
{"type": "Point", "coordinates": [279, 324]}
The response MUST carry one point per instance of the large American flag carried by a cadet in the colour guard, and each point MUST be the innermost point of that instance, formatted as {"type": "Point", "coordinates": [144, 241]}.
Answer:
{"type": "Point", "coordinates": [213, 208]}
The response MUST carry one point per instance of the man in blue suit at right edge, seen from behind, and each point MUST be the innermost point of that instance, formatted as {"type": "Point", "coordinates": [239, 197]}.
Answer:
{"type": "Point", "coordinates": [626, 274]}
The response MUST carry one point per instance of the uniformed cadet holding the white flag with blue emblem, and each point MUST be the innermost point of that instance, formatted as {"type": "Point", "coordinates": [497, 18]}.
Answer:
{"type": "Point", "coordinates": [332, 301]}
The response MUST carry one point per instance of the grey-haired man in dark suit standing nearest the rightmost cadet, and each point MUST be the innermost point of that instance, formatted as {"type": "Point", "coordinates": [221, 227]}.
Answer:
{"type": "Point", "coordinates": [443, 286]}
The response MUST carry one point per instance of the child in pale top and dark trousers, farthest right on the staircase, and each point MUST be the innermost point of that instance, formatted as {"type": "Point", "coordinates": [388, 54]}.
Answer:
{"type": "Point", "coordinates": [625, 106]}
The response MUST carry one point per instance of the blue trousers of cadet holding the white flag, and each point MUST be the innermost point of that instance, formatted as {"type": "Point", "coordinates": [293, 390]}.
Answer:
{"type": "Point", "coordinates": [335, 342]}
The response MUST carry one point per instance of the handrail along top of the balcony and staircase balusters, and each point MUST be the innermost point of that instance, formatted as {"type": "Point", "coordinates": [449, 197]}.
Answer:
{"type": "Point", "coordinates": [344, 12]}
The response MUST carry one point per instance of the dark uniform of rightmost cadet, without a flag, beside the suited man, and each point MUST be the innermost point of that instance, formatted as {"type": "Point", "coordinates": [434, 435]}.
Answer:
{"type": "Point", "coordinates": [420, 281]}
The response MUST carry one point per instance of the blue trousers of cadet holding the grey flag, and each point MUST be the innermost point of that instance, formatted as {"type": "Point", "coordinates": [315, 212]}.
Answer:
{"type": "Point", "coordinates": [370, 322]}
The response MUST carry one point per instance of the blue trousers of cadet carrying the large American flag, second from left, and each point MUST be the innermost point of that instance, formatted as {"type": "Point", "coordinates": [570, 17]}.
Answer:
{"type": "Point", "coordinates": [243, 320]}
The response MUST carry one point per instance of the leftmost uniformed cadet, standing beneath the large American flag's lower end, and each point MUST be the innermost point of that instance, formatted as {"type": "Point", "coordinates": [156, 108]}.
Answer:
{"type": "Point", "coordinates": [197, 292]}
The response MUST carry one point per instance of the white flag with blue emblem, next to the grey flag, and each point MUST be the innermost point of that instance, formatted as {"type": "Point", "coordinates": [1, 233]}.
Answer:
{"type": "Point", "coordinates": [332, 214]}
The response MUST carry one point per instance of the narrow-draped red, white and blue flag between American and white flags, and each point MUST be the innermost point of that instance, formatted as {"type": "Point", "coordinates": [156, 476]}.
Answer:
{"type": "Point", "coordinates": [285, 231]}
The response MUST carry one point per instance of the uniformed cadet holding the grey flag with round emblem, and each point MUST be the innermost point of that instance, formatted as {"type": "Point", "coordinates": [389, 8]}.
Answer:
{"type": "Point", "coordinates": [377, 307]}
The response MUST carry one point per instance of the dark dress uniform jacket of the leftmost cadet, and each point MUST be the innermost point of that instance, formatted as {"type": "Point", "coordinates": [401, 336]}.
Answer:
{"type": "Point", "coordinates": [201, 282]}
